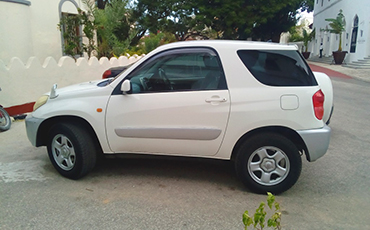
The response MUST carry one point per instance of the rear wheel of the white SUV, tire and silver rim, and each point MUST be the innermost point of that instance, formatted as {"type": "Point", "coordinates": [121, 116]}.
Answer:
{"type": "Point", "coordinates": [268, 162]}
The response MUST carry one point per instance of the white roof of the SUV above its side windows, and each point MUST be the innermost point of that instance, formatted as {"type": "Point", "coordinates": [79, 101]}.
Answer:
{"type": "Point", "coordinates": [230, 44]}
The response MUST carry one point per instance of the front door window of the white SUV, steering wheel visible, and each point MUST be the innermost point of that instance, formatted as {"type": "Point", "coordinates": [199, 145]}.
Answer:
{"type": "Point", "coordinates": [179, 70]}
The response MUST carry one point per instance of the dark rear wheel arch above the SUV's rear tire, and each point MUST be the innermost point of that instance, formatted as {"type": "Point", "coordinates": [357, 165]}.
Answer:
{"type": "Point", "coordinates": [281, 130]}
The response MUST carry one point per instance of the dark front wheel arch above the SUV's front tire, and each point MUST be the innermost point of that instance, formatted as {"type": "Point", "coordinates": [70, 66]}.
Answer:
{"type": "Point", "coordinates": [42, 133]}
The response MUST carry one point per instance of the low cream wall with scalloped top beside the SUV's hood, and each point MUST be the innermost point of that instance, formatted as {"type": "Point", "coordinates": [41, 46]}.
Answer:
{"type": "Point", "coordinates": [22, 83]}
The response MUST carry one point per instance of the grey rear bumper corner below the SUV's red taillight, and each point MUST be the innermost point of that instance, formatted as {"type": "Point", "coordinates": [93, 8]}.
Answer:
{"type": "Point", "coordinates": [317, 142]}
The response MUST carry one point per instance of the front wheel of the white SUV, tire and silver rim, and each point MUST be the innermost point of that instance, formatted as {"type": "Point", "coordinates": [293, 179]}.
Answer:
{"type": "Point", "coordinates": [71, 150]}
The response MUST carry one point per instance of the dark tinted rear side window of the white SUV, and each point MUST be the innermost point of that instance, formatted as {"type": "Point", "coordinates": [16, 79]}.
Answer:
{"type": "Point", "coordinates": [278, 67]}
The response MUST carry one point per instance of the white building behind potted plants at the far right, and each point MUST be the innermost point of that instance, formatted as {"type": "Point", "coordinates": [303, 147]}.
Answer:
{"type": "Point", "coordinates": [355, 39]}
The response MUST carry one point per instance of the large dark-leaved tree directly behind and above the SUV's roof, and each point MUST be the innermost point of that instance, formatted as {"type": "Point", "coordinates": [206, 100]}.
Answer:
{"type": "Point", "coordinates": [230, 19]}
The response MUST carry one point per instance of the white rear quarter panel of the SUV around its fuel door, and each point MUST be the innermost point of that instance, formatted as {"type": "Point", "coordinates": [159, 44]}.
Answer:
{"type": "Point", "coordinates": [255, 105]}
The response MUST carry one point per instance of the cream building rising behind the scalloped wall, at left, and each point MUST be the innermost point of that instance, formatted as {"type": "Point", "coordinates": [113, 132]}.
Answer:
{"type": "Point", "coordinates": [29, 28]}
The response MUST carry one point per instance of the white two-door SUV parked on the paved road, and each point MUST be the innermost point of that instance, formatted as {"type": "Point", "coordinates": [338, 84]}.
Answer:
{"type": "Point", "coordinates": [257, 104]}
